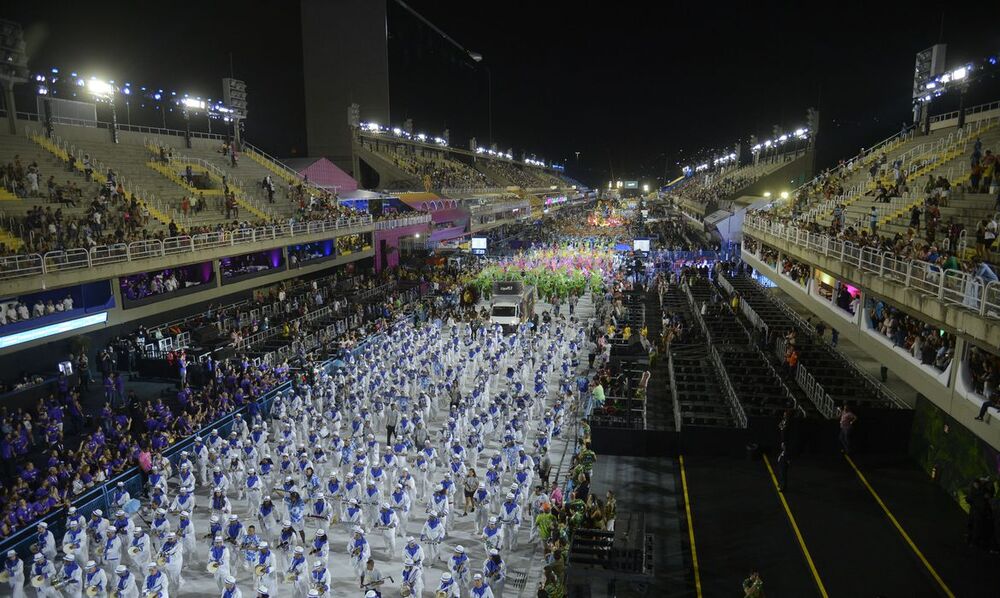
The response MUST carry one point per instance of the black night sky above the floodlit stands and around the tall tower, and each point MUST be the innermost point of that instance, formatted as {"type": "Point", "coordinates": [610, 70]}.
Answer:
{"type": "Point", "coordinates": [635, 87]}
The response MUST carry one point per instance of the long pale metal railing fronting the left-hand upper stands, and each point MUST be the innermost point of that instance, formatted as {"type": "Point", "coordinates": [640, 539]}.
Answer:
{"type": "Point", "coordinates": [19, 266]}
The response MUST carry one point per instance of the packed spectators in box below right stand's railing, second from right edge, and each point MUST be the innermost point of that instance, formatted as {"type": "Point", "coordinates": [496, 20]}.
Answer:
{"type": "Point", "coordinates": [930, 345]}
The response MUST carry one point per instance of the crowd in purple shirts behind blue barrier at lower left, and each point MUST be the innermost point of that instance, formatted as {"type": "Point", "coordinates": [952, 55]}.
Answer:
{"type": "Point", "coordinates": [53, 452]}
